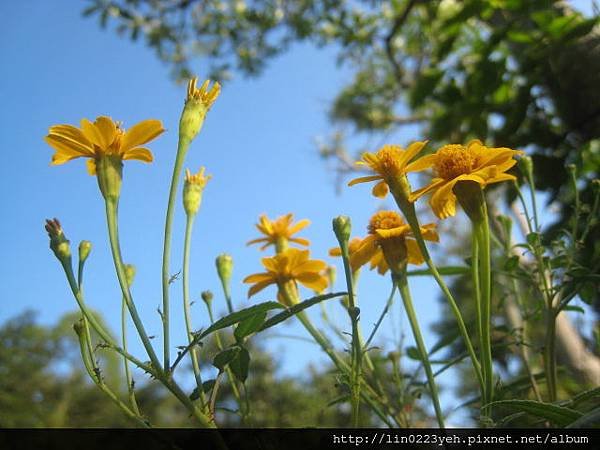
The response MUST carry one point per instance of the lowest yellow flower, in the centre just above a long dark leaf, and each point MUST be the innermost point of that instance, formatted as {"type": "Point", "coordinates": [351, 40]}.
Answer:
{"type": "Point", "coordinates": [285, 270]}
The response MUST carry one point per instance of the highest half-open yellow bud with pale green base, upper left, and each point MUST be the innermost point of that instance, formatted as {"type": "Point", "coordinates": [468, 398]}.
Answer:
{"type": "Point", "coordinates": [197, 104]}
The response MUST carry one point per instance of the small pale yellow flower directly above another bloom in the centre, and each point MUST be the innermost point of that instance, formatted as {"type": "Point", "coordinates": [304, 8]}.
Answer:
{"type": "Point", "coordinates": [279, 232]}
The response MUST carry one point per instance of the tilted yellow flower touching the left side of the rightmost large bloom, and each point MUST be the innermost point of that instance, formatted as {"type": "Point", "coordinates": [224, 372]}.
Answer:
{"type": "Point", "coordinates": [390, 165]}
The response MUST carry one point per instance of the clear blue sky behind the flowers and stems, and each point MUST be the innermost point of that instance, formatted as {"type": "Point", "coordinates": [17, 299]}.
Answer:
{"type": "Point", "coordinates": [257, 142]}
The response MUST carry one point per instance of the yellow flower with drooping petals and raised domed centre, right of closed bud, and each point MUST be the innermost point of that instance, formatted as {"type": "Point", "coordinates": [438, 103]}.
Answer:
{"type": "Point", "coordinates": [390, 243]}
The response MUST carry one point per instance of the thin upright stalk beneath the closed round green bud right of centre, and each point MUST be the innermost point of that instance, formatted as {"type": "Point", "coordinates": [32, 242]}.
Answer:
{"type": "Point", "coordinates": [356, 360]}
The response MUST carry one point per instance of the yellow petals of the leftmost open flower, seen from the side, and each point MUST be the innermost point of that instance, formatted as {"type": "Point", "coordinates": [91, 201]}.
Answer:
{"type": "Point", "coordinates": [101, 138]}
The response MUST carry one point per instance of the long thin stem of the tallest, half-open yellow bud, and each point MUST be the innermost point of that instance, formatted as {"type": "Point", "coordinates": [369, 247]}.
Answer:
{"type": "Point", "coordinates": [182, 148]}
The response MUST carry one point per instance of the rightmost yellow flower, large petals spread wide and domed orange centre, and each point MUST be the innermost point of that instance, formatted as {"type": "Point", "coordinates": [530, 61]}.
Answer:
{"type": "Point", "coordinates": [453, 163]}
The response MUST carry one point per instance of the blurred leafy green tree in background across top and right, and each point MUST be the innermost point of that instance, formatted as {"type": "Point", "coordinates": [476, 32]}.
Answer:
{"type": "Point", "coordinates": [515, 73]}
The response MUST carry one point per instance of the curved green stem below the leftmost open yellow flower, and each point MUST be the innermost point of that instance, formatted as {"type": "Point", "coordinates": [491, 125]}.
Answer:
{"type": "Point", "coordinates": [111, 218]}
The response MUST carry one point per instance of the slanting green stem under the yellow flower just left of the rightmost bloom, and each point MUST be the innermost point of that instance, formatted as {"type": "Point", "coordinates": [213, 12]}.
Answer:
{"type": "Point", "coordinates": [409, 212]}
